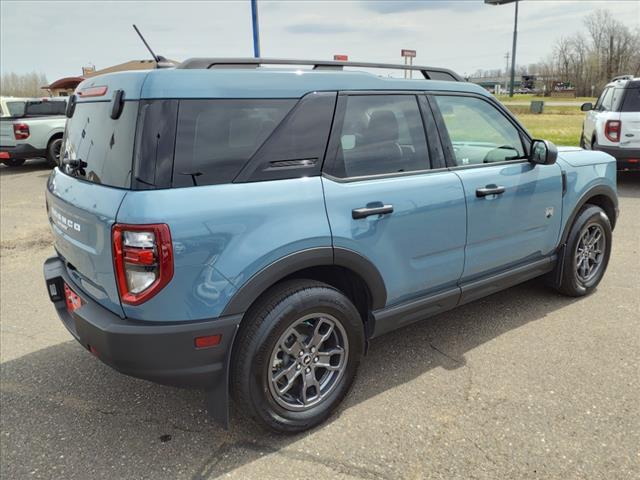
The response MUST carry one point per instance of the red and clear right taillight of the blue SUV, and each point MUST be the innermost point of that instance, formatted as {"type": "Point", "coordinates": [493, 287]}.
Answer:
{"type": "Point", "coordinates": [143, 258]}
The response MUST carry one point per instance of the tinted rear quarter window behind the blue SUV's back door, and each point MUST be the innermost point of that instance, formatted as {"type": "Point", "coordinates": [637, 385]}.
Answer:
{"type": "Point", "coordinates": [215, 138]}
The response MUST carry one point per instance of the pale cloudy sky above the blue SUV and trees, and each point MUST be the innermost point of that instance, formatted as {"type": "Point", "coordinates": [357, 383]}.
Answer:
{"type": "Point", "coordinates": [59, 38]}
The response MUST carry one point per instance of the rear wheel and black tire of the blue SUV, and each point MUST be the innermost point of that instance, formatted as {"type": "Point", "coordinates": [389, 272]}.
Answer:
{"type": "Point", "coordinates": [259, 355]}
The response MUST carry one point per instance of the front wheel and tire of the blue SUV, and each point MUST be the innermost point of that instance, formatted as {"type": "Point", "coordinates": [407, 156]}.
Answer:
{"type": "Point", "coordinates": [575, 280]}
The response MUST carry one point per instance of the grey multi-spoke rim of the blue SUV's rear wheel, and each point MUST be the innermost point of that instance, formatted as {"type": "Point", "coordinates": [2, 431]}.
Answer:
{"type": "Point", "coordinates": [308, 362]}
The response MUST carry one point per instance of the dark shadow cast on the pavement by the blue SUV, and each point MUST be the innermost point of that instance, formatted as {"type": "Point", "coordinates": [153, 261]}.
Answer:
{"type": "Point", "coordinates": [62, 406]}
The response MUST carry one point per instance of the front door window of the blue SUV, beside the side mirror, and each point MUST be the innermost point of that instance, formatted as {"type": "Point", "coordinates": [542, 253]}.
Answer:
{"type": "Point", "coordinates": [479, 132]}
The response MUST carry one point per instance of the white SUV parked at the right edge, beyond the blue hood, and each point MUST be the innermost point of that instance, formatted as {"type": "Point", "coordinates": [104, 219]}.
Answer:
{"type": "Point", "coordinates": [613, 124]}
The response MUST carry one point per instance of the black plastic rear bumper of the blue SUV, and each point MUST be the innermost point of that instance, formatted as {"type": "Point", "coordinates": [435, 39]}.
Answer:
{"type": "Point", "coordinates": [160, 352]}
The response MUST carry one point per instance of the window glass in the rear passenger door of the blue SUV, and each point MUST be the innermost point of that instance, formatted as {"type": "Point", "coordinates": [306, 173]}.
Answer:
{"type": "Point", "coordinates": [381, 134]}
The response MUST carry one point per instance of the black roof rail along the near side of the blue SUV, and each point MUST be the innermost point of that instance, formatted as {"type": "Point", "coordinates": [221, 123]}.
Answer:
{"type": "Point", "coordinates": [429, 73]}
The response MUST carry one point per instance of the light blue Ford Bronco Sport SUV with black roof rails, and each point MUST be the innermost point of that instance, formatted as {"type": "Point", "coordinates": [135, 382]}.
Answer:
{"type": "Point", "coordinates": [249, 230]}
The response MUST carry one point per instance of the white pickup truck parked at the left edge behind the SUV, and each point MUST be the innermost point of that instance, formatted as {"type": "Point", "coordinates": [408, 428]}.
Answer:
{"type": "Point", "coordinates": [34, 129]}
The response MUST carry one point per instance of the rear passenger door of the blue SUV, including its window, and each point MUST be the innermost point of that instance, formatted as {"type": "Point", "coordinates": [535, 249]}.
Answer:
{"type": "Point", "coordinates": [385, 201]}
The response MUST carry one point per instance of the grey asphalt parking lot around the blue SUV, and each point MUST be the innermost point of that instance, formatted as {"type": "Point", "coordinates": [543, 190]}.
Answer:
{"type": "Point", "coordinates": [524, 384]}
